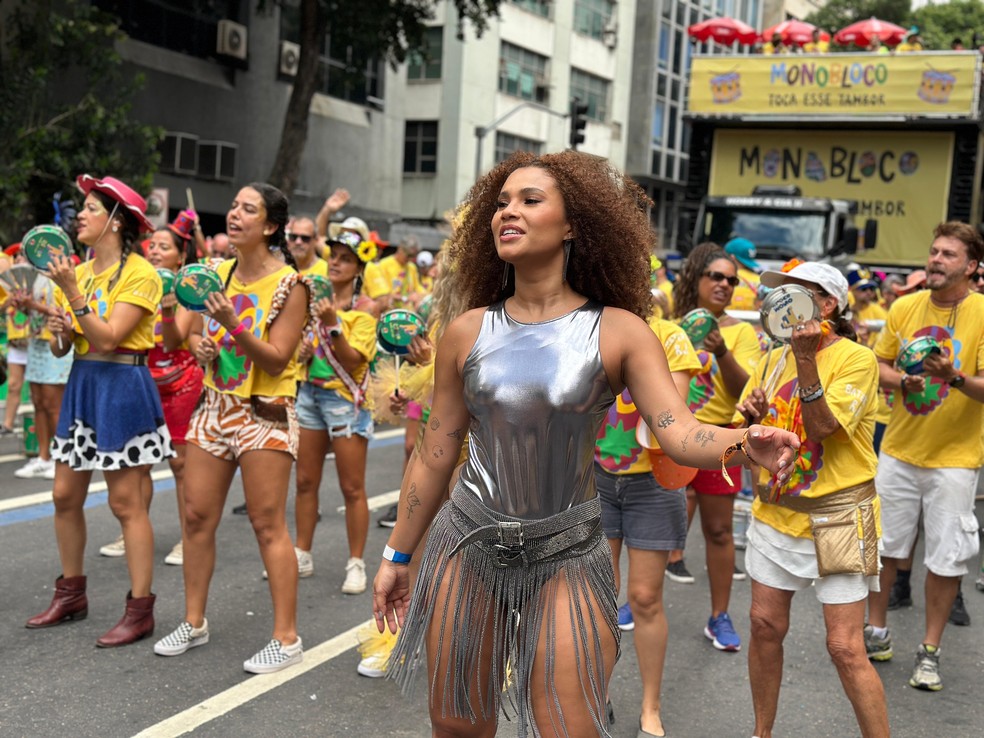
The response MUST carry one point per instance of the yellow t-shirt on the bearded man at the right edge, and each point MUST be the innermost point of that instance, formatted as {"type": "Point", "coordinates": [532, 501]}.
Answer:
{"type": "Point", "coordinates": [933, 429]}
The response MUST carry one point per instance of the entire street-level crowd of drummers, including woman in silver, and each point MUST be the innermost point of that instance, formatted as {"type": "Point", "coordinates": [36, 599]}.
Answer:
{"type": "Point", "coordinates": [565, 401]}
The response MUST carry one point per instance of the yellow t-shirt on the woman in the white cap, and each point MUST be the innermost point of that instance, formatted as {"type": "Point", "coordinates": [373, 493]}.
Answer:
{"type": "Point", "coordinates": [849, 377]}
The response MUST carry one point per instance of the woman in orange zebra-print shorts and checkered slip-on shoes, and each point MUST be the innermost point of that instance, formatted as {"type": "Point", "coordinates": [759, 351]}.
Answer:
{"type": "Point", "coordinates": [246, 420]}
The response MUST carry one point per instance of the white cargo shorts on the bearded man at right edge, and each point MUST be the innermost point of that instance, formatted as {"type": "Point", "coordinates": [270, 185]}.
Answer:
{"type": "Point", "coordinates": [944, 497]}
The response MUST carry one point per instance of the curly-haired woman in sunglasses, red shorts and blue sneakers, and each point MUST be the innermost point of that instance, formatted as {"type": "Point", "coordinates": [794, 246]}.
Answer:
{"type": "Point", "coordinates": [728, 353]}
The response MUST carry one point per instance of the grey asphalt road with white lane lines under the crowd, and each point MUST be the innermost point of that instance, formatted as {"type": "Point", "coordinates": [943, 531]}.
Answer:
{"type": "Point", "coordinates": [55, 682]}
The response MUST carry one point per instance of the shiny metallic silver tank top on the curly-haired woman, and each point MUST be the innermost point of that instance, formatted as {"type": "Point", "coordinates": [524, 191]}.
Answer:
{"type": "Point", "coordinates": [537, 394]}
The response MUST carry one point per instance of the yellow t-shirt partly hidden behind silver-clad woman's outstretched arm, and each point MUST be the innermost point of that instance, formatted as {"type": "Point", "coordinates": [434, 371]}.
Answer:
{"type": "Point", "coordinates": [617, 449]}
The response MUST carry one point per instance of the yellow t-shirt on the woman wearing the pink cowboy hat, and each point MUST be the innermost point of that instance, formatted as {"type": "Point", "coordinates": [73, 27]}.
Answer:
{"type": "Point", "coordinates": [139, 284]}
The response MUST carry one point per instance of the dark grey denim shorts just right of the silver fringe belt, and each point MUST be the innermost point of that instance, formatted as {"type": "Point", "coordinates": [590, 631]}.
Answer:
{"type": "Point", "coordinates": [635, 508]}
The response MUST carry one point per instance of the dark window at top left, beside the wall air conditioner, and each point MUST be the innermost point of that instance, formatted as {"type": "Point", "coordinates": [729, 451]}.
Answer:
{"type": "Point", "coordinates": [189, 28]}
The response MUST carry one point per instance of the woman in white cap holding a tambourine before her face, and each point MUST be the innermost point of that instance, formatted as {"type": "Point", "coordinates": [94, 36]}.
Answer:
{"type": "Point", "coordinates": [820, 527]}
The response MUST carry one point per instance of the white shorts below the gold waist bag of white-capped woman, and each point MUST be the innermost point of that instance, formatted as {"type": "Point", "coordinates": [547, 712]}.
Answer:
{"type": "Point", "coordinates": [783, 562]}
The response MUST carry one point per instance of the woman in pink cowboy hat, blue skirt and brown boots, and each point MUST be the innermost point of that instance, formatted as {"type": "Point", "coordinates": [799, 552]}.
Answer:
{"type": "Point", "coordinates": [106, 313]}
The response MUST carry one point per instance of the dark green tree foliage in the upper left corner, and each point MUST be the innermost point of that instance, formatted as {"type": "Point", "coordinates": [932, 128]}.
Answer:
{"type": "Point", "coordinates": [64, 109]}
